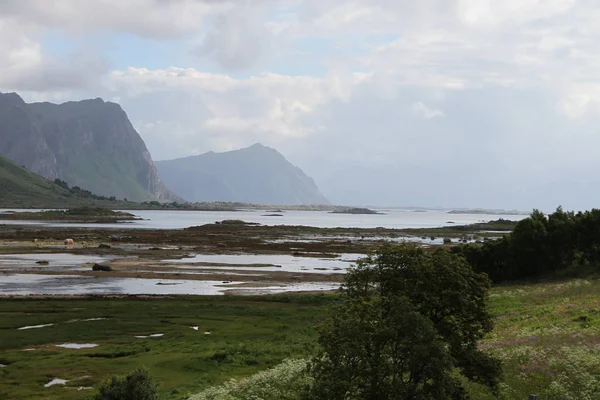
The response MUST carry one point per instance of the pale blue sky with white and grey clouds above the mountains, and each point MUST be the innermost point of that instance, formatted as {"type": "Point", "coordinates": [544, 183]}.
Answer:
{"type": "Point", "coordinates": [450, 103]}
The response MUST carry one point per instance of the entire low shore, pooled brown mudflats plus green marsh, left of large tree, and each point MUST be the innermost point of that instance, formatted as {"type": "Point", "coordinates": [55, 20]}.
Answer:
{"type": "Point", "coordinates": [140, 312]}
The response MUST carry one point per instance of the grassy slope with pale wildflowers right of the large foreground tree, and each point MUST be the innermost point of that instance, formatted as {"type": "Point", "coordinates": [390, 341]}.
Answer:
{"type": "Point", "coordinates": [547, 336]}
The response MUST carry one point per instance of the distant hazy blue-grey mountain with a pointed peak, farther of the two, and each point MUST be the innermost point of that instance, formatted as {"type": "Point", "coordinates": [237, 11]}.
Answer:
{"type": "Point", "coordinates": [256, 174]}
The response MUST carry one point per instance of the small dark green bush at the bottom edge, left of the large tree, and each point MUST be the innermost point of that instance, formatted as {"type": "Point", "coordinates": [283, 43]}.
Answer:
{"type": "Point", "coordinates": [138, 385]}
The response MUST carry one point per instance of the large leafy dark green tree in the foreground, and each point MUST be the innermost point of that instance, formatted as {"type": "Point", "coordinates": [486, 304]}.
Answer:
{"type": "Point", "coordinates": [408, 320]}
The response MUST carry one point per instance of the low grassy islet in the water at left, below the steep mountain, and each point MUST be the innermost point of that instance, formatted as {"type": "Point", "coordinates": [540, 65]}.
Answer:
{"type": "Point", "coordinates": [83, 214]}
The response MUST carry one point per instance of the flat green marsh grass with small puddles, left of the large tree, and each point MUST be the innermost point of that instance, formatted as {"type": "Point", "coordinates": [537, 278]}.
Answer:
{"type": "Point", "coordinates": [247, 335]}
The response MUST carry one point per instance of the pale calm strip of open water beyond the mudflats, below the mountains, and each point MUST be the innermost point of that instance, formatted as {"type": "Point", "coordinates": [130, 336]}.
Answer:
{"type": "Point", "coordinates": [168, 219]}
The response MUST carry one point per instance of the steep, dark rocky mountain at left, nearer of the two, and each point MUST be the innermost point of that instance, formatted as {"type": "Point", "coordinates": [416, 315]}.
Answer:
{"type": "Point", "coordinates": [89, 143]}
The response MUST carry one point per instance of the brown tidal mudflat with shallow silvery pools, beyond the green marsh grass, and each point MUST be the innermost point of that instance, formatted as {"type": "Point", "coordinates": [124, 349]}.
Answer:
{"type": "Point", "coordinates": [230, 257]}
